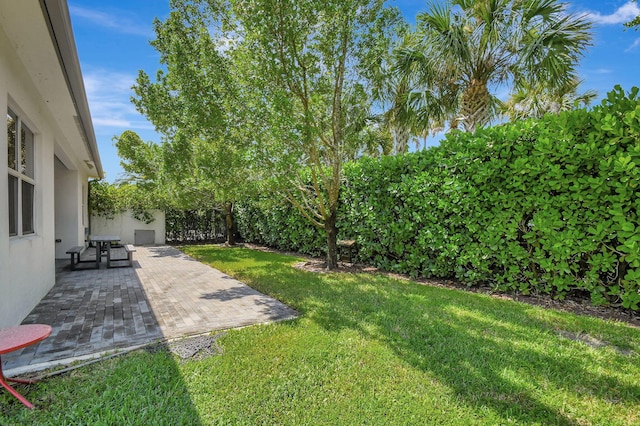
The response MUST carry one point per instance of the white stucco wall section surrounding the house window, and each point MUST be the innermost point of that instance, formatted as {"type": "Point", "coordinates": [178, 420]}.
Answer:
{"type": "Point", "coordinates": [27, 263]}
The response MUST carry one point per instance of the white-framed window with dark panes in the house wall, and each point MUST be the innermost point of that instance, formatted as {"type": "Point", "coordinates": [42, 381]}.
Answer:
{"type": "Point", "coordinates": [20, 157]}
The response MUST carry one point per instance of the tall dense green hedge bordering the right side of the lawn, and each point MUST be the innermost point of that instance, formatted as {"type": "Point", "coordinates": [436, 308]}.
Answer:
{"type": "Point", "coordinates": [547, 205]}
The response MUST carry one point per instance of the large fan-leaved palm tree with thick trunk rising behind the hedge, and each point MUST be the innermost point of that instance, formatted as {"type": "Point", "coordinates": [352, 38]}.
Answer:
{"type": "Point", "coordinates": [462, 51]}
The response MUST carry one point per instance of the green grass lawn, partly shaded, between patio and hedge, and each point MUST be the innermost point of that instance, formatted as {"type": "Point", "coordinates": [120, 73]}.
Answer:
{"type": "Point", "coordinates": [367, 349]}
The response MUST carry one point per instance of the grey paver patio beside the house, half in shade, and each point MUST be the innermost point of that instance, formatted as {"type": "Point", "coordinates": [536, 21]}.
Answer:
{"type": "Point", "coordinates": [165, 295]}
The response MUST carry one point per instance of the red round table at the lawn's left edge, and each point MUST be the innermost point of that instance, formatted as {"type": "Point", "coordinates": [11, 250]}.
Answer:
{"type": "Point", "coordinates": [15, 338]}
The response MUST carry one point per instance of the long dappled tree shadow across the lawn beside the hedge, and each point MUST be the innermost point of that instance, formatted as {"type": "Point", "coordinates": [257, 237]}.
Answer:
{"type": "Point", "coordinates": [492, 354]}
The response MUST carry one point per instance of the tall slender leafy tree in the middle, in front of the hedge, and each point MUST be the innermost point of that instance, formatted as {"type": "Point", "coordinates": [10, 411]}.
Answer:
{"type": "Point", "coordinates": [308, 65]}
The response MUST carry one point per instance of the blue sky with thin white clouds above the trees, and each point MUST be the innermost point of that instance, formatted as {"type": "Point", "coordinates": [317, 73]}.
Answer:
{"type": "Point", "coordinates": [113, 44]}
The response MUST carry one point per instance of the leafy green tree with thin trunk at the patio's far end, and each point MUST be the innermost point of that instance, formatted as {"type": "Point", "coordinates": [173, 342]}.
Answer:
{"type": "Point", "coordinates": [198, 107]}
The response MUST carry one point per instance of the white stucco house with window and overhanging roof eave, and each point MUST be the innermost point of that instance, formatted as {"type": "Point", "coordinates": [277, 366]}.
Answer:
{"type": "Point", "coordinates": [48, 152]}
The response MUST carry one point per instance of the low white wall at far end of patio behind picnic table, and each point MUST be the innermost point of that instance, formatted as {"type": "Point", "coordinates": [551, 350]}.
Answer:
{"type": "Point", "coordinates": [125, 225]}
